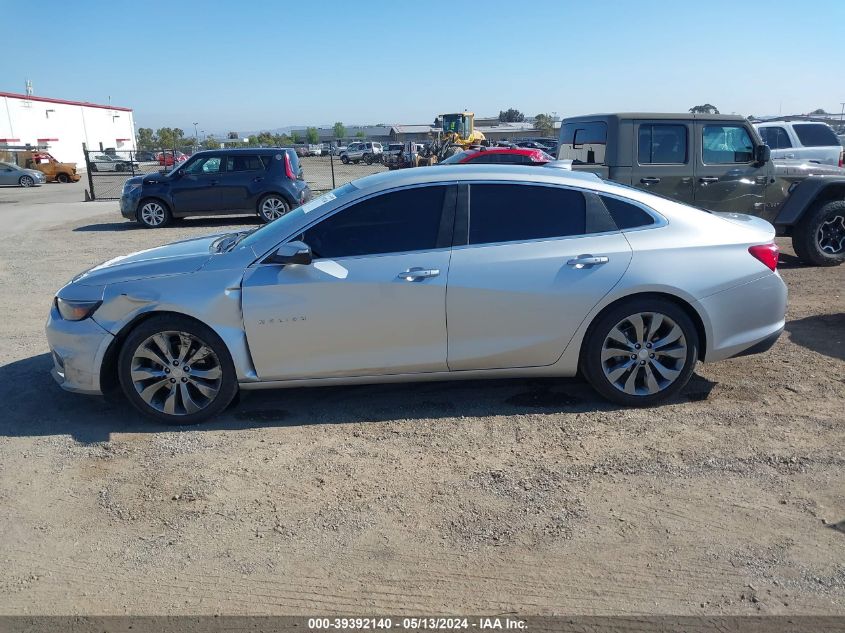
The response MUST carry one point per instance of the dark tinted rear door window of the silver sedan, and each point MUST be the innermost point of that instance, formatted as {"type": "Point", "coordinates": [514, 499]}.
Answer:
{"type": "Point", "coordinates": [510, 213]}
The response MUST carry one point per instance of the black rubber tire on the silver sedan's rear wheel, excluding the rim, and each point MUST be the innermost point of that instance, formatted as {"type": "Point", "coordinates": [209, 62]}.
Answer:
{"type": "Point", "coordinates": [641, 360]}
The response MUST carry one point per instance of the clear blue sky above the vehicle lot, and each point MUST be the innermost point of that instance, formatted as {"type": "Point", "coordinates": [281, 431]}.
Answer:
{"type": "Point", "coordinates": [251, 65]}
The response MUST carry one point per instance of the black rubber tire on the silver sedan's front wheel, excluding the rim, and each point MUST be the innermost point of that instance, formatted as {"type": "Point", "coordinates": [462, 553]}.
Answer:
{"type": "Point", "coordinates": [220, 359]}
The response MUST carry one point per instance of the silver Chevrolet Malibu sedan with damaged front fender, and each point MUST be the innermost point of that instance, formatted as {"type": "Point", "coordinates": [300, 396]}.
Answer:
{"type": "Point", "coordinates": [428, 274]}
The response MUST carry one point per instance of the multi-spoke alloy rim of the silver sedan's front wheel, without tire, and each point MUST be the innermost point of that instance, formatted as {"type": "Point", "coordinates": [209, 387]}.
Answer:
{"type": "Point", "coordinates": [176, 373]}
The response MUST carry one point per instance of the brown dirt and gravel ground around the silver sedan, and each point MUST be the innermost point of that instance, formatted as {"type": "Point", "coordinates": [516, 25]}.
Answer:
{"type": "Point", "coordinates": [524, 496]}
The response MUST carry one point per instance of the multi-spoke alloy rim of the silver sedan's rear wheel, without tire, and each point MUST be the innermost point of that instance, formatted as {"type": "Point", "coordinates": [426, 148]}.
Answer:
{"type": "Point", "coordinates": [644, 353]}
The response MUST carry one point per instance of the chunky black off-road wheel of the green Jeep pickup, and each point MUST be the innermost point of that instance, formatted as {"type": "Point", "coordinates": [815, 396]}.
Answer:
{"type": "Point", "coordinates": [819, 238]}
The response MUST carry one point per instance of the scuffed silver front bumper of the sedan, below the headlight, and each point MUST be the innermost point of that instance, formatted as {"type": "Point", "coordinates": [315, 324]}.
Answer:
{"type": "Point", "coordinates": [78, 349]}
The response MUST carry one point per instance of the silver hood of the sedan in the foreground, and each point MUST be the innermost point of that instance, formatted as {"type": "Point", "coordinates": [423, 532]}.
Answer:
{"type": "Point", "coordinates": [174, 259]}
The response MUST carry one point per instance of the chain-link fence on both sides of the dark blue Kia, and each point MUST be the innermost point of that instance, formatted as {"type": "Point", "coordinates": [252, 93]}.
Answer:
{"type": "Point", "coordinates": [108, 171]}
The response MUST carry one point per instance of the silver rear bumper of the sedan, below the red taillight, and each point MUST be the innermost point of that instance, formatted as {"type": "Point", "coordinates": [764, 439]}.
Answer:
{"type": "Point", "coordinates": [744, 320]}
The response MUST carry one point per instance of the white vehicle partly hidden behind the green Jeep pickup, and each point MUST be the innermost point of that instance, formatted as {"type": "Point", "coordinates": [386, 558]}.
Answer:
{"type": "Point", "coordinates": [802, 140]}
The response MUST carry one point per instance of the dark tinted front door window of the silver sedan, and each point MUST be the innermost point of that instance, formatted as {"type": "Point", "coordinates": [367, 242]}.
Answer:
{"type": "Point", "coordinates": [407, 220]}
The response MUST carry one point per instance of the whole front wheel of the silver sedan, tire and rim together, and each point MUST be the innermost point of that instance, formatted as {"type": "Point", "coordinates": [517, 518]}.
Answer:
{"type": "Point", "coordinates": [176, 370]}
